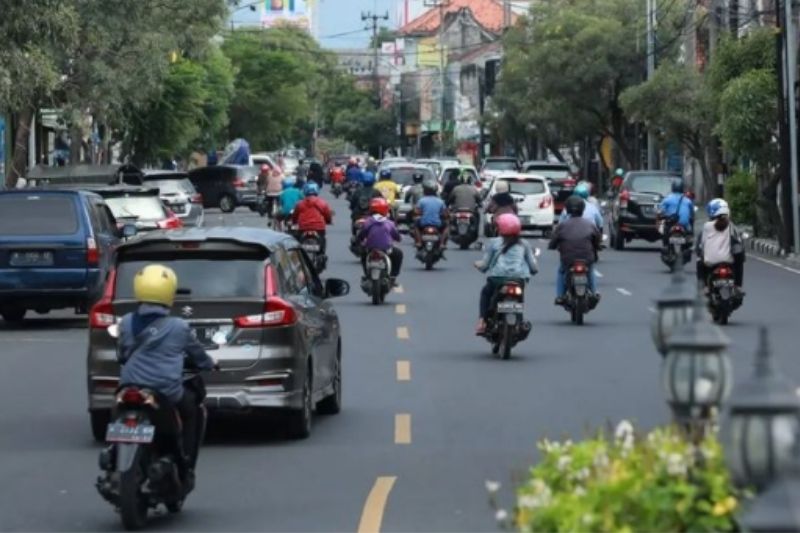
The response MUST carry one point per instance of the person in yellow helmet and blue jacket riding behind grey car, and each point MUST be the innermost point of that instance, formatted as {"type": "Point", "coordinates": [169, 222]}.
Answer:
{"type": "Point", "coordinates": [152, 348]}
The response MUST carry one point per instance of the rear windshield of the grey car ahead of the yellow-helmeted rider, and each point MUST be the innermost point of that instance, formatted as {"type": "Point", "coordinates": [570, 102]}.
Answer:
{"type": "Point", "coordinates": [207, 276]}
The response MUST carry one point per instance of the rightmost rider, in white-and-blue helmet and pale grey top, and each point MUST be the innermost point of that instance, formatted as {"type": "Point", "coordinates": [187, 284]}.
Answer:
{"type": "Point", "coordinates": [720, 242]}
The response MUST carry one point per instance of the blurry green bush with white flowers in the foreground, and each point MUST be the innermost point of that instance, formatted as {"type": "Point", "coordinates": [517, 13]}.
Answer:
{"type": "Point", "coordinates": [658, 483]}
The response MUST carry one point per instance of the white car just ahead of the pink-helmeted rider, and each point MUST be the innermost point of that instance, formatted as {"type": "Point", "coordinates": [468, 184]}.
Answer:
{"type": "Point", "coordinates": [534, 201]}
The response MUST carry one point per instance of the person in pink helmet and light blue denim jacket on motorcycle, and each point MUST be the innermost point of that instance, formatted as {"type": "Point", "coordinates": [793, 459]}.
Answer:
{"type": "Point", "coordinates": [507, 256]}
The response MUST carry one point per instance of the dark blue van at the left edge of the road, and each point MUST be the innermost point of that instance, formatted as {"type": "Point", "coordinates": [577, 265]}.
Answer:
{"type": "Point", "coordinates": [56, 247]}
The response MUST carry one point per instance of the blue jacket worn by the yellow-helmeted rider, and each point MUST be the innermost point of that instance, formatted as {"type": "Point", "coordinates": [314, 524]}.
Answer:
{"type": "Point", "coordinates": [152, 348]}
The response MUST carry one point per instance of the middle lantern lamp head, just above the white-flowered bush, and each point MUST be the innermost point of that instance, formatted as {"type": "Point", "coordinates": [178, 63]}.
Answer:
{"type": "Point", "coordinates": [696, 373]}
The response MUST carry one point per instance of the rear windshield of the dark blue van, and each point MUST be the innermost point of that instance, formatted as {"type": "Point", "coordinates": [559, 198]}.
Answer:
{"type": "Point", "coordinates": [37, 215]}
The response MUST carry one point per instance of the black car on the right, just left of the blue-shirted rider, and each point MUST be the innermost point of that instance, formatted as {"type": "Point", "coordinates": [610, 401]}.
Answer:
{"type": "Point", "coordinates": [634, 208]}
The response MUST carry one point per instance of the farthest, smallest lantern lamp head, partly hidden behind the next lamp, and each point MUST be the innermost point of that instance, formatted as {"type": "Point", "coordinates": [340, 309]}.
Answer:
{"type": "Point", "coordinates": [673, 308]}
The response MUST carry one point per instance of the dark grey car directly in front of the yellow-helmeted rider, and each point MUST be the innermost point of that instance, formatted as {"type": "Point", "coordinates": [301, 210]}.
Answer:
{"type": "Point", "coordinates": [254, 300]}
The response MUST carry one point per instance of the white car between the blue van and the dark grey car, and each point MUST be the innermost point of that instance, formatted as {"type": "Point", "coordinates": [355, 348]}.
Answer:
{"type": "Point", "coordinates": [140, 207]}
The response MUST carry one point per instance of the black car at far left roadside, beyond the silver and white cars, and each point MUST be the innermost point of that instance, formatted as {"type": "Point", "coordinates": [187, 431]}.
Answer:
{"type": "Point", "coordinates": [226, 186]}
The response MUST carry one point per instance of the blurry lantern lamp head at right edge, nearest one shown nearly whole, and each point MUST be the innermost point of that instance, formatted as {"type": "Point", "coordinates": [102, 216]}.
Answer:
{"type": "Point", "coordinates": [763, 423]}
